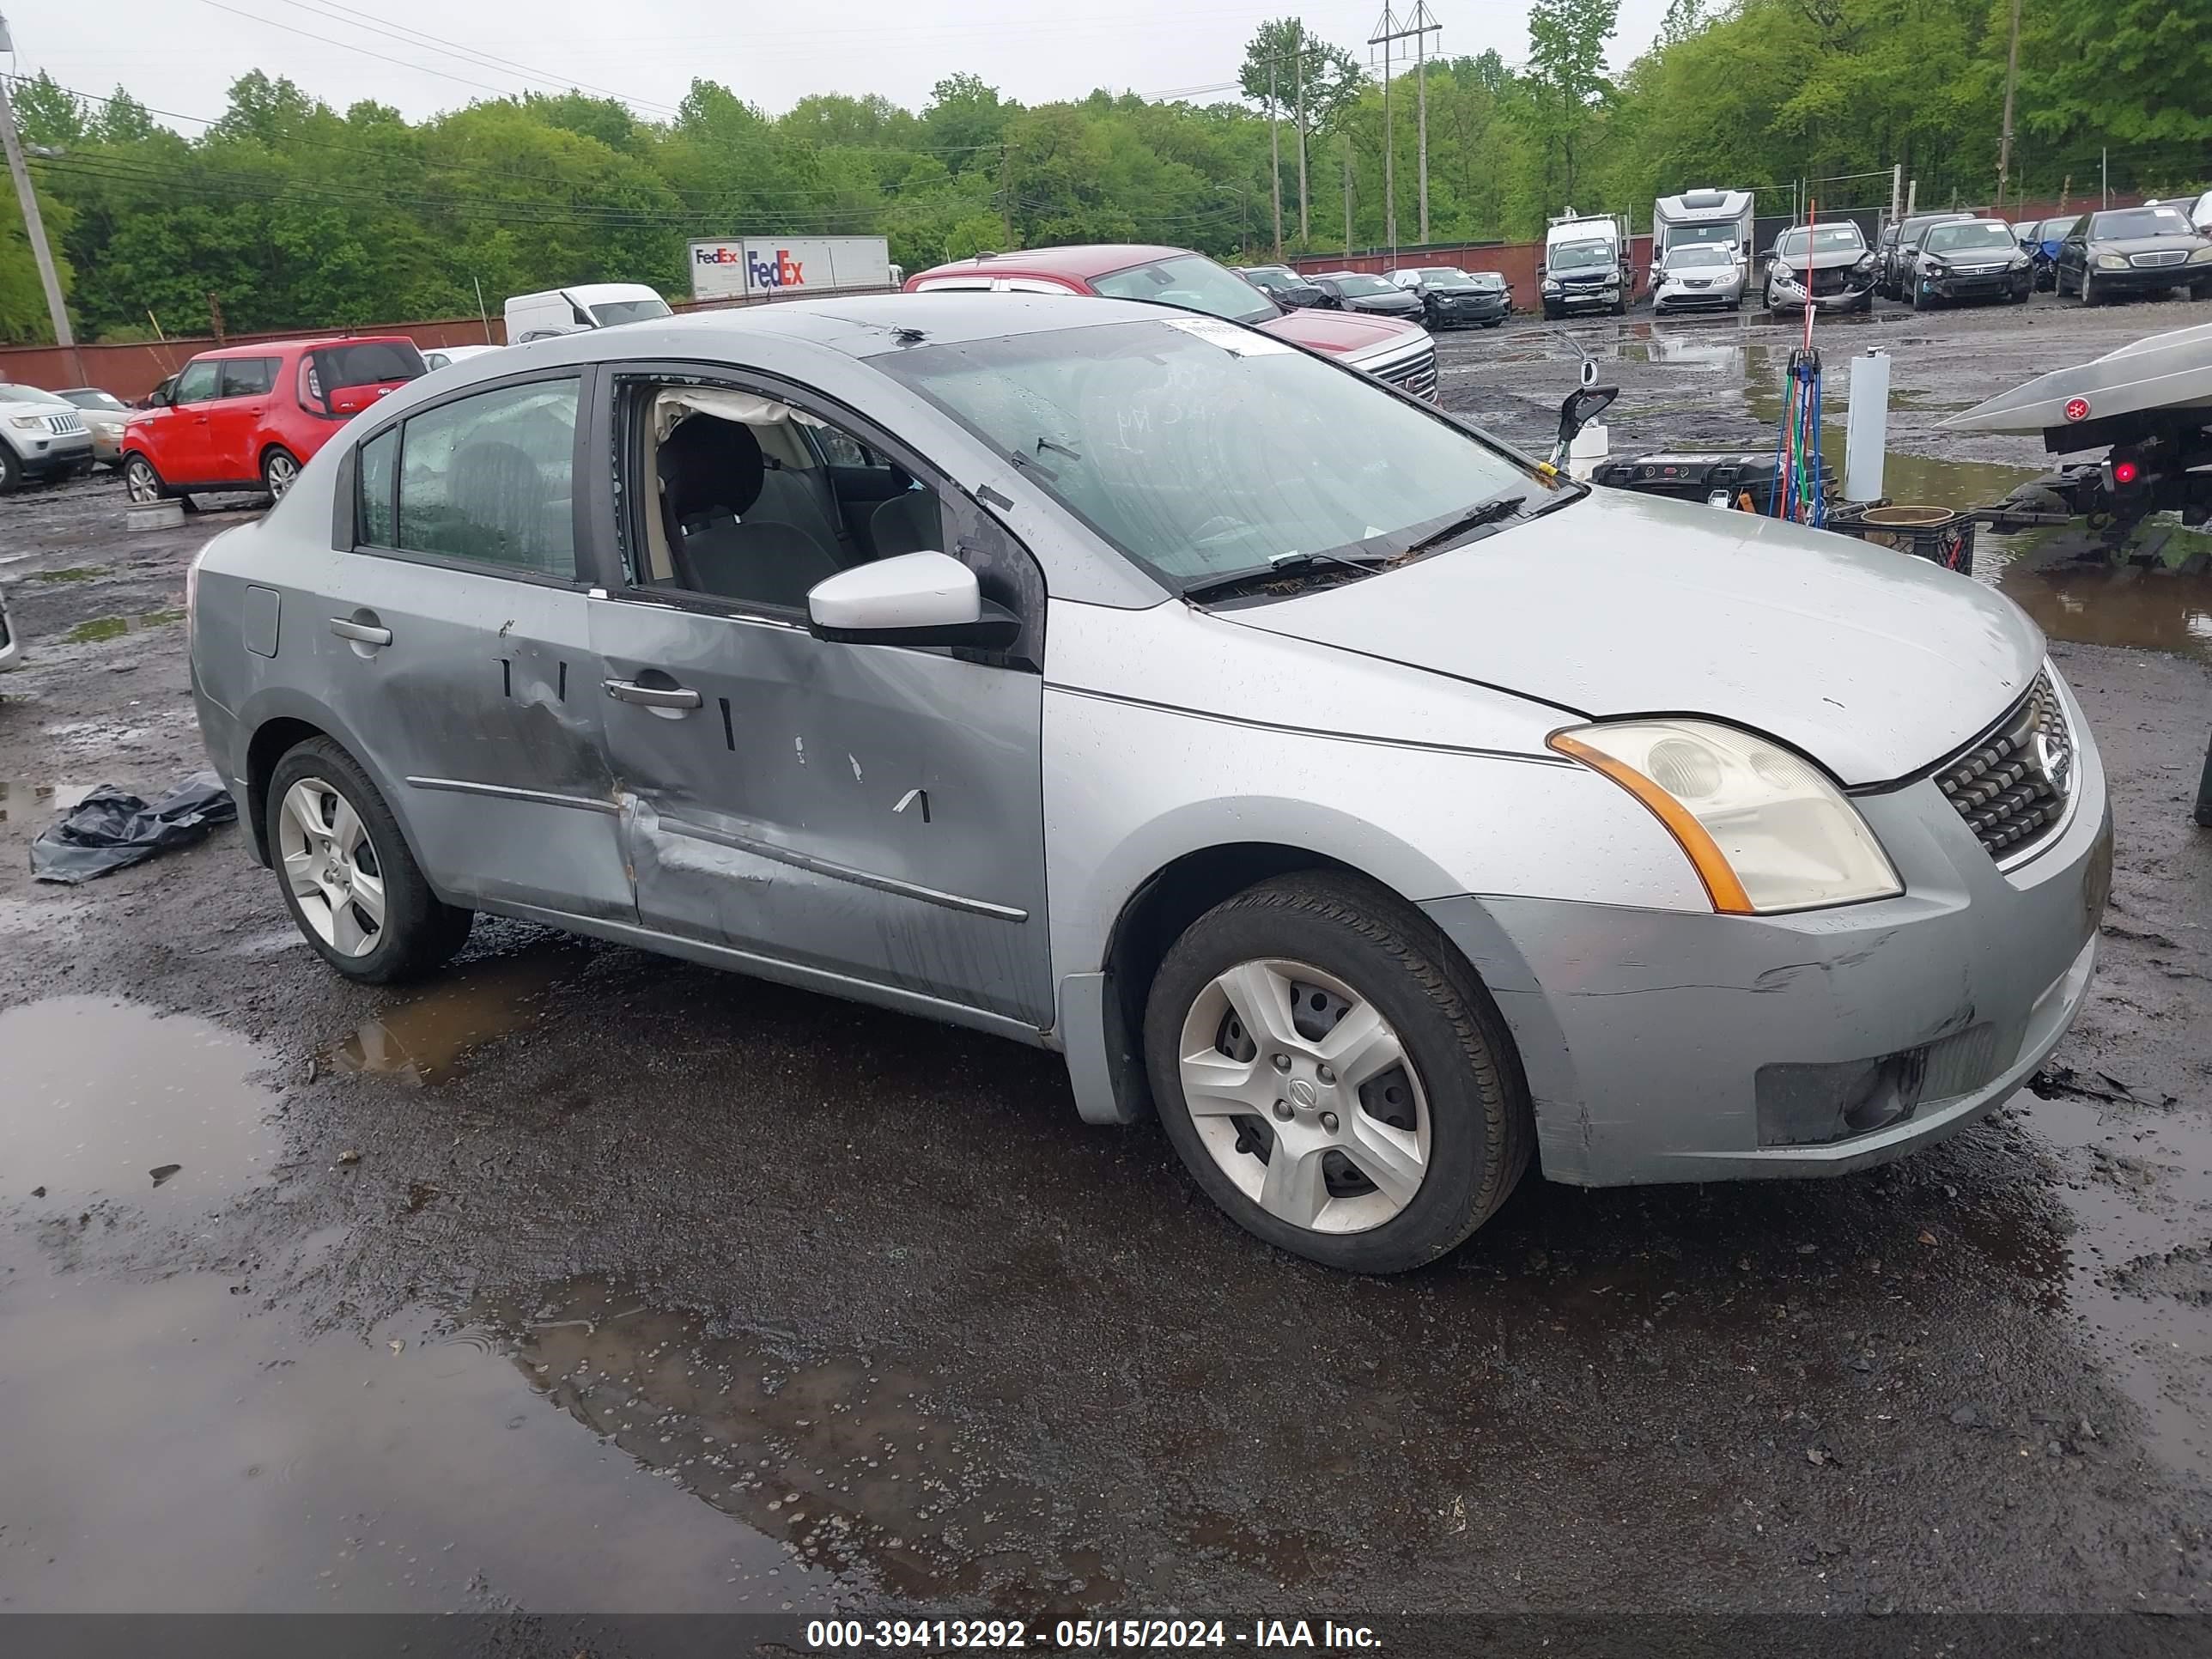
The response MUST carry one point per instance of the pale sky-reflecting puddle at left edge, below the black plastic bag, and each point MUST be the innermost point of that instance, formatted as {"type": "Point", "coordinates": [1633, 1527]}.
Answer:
{"type": "Point", "coordinates": [101, 1096]}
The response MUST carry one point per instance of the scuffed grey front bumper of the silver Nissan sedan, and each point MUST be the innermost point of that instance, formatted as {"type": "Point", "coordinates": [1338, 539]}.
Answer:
{"type": "Point", "coordinates": [1693, 1047]}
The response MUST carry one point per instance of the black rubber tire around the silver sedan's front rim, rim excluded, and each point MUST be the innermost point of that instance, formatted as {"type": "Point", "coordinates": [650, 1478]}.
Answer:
{"type": "Point", "coordinates": [1481, 1125]}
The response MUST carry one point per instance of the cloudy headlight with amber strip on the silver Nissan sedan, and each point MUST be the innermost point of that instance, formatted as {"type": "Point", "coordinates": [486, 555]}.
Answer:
{"type": "Point", "coordinates": [1764, 831]}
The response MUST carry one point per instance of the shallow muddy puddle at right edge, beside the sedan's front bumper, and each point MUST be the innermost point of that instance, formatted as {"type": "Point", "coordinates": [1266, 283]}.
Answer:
{"type": "Point", "coordinates": [2140, 1262]}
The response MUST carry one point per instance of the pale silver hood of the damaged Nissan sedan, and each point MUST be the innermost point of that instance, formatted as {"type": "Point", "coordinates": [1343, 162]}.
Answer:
{"type": "Point", "coordinates": [1872, 662]}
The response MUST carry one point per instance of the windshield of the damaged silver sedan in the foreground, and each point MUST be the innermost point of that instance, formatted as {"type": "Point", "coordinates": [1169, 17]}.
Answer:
{"type": "Point", "coordinates": [1202, 450]}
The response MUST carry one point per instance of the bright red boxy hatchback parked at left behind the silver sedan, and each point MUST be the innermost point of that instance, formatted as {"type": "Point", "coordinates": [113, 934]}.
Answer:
{"type": "Point", "coordinates": [251, 417]}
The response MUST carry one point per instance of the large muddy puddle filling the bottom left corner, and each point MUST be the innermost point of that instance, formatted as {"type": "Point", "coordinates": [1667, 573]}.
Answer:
{"type": "Point", "coordinates": [176, 1452]}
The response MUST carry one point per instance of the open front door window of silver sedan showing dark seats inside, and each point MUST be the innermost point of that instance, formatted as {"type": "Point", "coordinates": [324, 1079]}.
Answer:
{"type": "Point", "coordinates": [760, 501]}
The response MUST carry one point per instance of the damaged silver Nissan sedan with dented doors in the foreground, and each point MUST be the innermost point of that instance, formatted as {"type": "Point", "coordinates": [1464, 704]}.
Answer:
{"type": "Point", "coordinates": [1269, 744]}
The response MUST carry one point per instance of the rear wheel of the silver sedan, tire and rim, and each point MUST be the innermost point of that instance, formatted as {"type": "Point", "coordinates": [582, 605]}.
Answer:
{"type": "Point", "coordinates": [346, 873]}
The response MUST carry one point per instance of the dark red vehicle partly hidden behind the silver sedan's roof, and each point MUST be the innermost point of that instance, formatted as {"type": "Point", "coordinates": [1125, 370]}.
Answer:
{"type": "Point", "coordinates": [1384, 346]}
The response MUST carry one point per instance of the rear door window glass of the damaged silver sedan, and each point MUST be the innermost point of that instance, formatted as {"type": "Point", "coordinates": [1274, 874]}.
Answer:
{"type": "Point", "coordinates": [492, 479]}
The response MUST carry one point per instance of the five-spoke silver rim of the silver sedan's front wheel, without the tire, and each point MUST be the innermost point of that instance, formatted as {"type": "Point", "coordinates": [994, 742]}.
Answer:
{"type": "Point", "coordinates": [1304, 1096]}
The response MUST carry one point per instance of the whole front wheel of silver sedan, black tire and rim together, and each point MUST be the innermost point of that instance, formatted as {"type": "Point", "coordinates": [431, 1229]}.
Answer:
{"type": "Point", "coordinates": [1333, 1074]}
